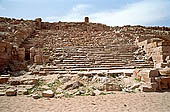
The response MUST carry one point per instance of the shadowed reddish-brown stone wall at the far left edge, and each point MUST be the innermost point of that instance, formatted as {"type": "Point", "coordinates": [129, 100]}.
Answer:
{"type": "Point", "coordinates": [11, 58]}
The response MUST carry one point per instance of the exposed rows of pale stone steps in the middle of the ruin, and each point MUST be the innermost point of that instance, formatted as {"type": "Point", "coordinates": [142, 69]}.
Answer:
{"type": "Point", "coordinates": [83, 59]}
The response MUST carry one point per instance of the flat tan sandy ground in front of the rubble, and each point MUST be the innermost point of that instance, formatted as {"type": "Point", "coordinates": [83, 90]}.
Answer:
{"type": "Point", "coordinates": [118, 102]}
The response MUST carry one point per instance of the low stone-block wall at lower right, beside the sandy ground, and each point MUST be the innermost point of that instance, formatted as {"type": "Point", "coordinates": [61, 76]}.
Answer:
{"type": "Point", "coordinates": [153, 79]}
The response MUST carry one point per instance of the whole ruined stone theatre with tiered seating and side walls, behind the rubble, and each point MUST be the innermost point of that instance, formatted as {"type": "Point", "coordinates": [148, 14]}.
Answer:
{"type": "Point", "coordinates": [83, 48]}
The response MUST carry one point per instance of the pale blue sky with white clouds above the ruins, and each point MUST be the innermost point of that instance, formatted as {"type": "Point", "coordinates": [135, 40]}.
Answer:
{"type": "Point", "coordinates": [110, 12]}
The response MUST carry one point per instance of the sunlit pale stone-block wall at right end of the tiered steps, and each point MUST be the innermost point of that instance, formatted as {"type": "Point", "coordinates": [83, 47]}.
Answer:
{"type": "Point", "coordinates": [157, 50]}
